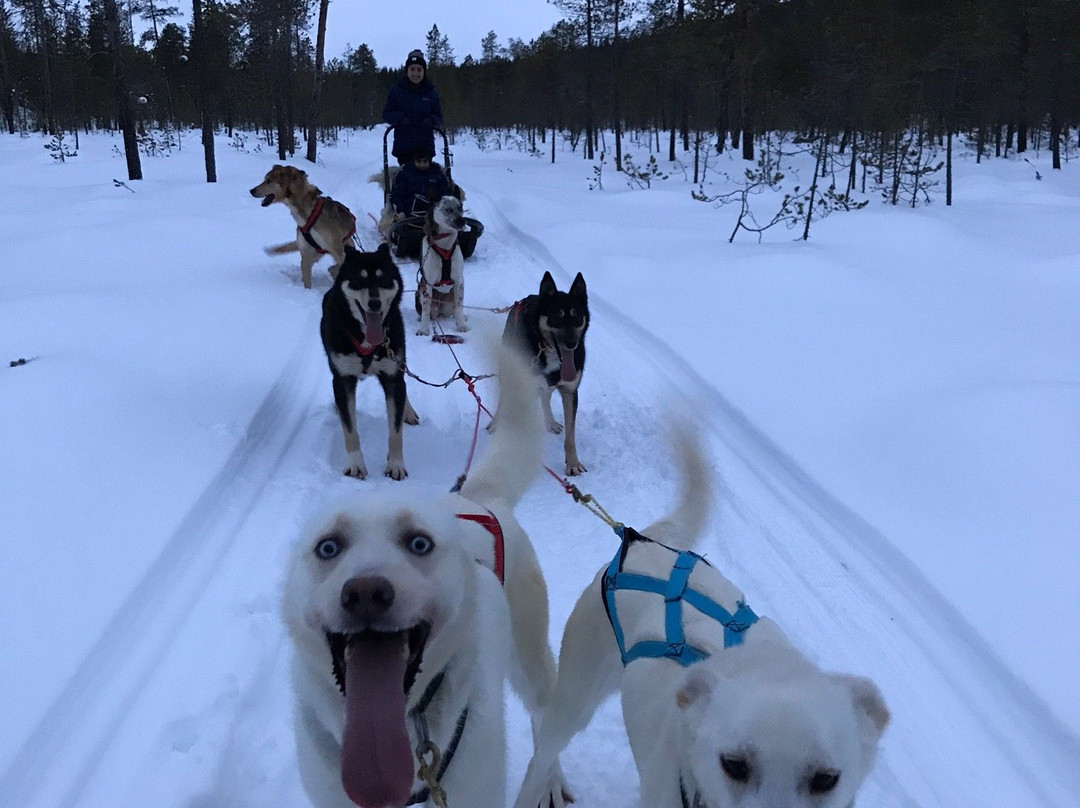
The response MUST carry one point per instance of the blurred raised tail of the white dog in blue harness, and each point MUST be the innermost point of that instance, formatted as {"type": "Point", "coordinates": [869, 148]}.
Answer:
{"type": "Point", "coordinates": [684, 527]}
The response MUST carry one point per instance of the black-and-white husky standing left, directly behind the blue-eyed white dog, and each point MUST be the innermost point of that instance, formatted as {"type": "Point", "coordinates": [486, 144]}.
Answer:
{"type": "Point", "coordinates": [364, 335]}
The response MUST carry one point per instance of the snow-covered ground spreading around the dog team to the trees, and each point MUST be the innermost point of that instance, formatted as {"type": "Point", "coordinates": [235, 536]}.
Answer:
{"type": "Point", "coordinates": [893, 408]}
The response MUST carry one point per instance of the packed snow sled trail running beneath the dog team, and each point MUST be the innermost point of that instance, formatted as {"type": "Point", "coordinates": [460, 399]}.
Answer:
{"type": "Point", "coordinates": [127, 733]}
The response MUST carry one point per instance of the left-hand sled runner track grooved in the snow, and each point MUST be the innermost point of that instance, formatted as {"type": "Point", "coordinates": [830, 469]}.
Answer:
{"type": "Point", "coordinates": [91, 711]}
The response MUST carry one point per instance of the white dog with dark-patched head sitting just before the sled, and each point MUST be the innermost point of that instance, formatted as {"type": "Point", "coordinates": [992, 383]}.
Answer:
{"type": "Point", "coordinates": [442, 280]}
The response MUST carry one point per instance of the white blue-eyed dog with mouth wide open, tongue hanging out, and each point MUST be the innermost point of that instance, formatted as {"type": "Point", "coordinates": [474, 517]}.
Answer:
{"type": "Point", "coordinates": [402, 638]}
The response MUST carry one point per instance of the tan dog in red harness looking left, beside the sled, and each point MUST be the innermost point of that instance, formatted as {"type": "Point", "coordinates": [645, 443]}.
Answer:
{"type": "Point", "coordinates": [323, 227]}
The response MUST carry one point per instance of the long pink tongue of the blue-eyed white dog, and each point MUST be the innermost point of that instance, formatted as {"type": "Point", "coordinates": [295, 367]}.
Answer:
{"type": "Point", "coordinates": [376, 758]}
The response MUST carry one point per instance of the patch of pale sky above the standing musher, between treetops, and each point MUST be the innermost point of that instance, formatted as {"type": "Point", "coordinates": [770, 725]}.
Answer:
{"type": "Point", "coordinates": [391, 31]}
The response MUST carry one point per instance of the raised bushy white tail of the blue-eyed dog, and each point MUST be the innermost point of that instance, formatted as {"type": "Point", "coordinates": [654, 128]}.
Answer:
{"type": "Point", "coordinates": [512, 457]}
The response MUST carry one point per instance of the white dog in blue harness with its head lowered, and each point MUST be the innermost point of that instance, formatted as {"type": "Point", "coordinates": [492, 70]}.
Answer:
{"type": "Point", "coordinates": [721, 709]}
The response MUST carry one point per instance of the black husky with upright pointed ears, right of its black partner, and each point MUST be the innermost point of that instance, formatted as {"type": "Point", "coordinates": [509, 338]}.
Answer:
{"type": "Point", "coordinates": [550, 328]}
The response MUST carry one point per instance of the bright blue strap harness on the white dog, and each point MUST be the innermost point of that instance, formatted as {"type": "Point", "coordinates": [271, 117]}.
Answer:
{"type": "Point", "coordinates": [677, 592]}
